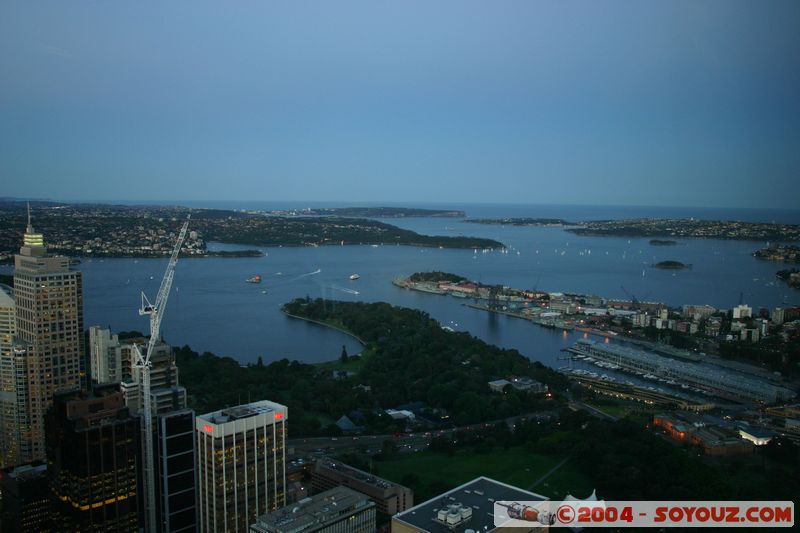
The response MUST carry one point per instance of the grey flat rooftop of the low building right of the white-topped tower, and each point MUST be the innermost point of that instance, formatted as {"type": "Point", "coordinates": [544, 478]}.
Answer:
{"type": "Point", "coordinates": [314, 511]}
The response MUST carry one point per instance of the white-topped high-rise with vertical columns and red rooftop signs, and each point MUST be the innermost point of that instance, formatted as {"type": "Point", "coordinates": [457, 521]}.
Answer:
{"type": "Point", "coordinates": [241, 456]}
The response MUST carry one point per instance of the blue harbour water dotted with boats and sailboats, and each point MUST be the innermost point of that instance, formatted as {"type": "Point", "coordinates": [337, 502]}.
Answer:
{"type": "Point", "coordinates": [212, 308]}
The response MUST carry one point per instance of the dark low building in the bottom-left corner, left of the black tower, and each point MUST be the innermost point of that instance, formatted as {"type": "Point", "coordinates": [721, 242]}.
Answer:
{"type": "Point", "coordinates": [25, 503]}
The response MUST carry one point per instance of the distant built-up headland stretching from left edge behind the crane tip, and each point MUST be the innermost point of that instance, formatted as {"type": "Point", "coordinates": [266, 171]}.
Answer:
{"type": "Point", "coordinates": [101, 230]}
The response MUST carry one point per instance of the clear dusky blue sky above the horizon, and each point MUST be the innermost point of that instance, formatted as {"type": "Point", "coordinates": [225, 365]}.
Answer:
{"type": "Point", "coordinates": [678, 103]}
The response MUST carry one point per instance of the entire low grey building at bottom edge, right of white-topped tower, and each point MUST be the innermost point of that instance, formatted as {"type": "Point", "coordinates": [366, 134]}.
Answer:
{"type": "Point", "coordinates": [338, 510]}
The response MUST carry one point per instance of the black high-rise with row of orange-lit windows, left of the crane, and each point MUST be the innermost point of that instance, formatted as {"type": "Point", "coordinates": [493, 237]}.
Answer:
{"type": "Point", "coordinates": [92, 457]}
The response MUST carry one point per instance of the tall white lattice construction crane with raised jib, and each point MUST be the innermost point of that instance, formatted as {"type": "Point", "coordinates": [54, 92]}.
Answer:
{"type": "Point", "coordinates": [155, 310]}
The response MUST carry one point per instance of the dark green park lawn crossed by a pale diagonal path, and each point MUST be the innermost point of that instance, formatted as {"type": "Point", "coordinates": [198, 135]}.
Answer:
{"type": "Point", "coordinates": [436, 472]}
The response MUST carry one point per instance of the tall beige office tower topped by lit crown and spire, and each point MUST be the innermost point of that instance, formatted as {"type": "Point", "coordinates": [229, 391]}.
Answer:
{"type": "Point", "coordinates": [49, 325]}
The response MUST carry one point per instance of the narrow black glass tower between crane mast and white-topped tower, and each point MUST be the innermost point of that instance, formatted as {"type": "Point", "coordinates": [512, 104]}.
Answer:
{"type": "Point", "coordinates": [175, 468]}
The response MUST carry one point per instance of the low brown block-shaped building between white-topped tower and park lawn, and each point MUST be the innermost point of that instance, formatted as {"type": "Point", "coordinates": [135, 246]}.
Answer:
{"type": "Point", "coordinates": [390, 497]}
